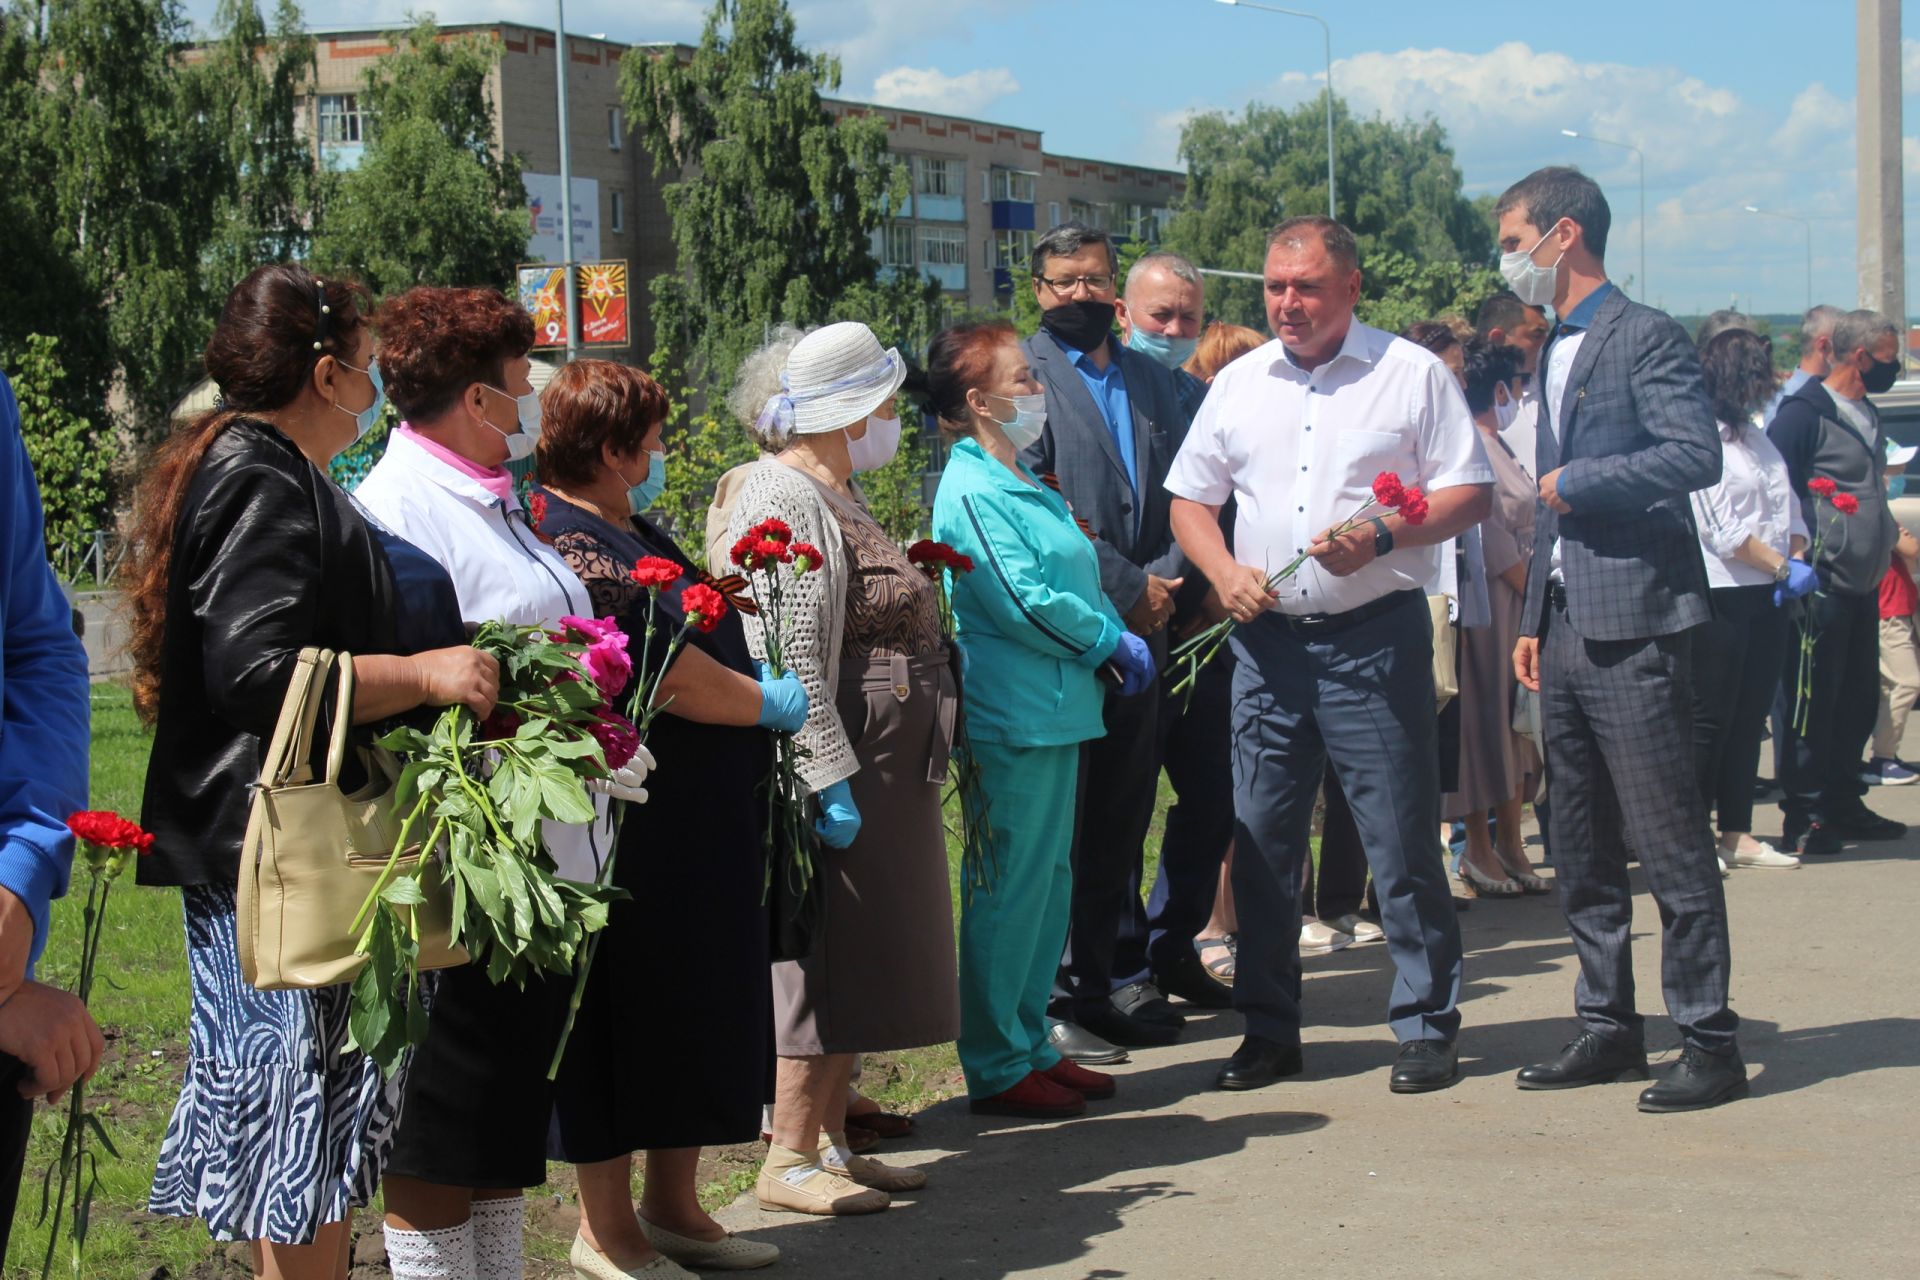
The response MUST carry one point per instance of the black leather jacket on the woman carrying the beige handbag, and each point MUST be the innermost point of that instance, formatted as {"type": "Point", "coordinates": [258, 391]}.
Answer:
{"type": "Point", "coordinates": [268, 557]}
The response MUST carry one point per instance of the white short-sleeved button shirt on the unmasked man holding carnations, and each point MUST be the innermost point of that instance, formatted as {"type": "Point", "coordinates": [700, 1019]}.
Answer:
{"type": "Point", "coordinates": [1301, 450]}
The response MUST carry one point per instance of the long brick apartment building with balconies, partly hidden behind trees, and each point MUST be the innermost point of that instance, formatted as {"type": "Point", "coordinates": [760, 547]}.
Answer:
{"type": "Point", "coordinates": [980, 191]}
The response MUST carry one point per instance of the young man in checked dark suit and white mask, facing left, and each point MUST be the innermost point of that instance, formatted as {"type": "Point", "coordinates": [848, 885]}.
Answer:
{"type": "Point", "coordinates": [1614, 588]}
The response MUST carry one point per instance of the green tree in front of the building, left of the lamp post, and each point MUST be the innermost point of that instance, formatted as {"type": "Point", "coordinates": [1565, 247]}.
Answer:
{"type": "Point", "coordinates": [429, 202]}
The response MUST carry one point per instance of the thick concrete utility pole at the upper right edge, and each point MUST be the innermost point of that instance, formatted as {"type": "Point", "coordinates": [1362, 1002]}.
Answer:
{"type": "Point", "coordinates": [1883, 235]}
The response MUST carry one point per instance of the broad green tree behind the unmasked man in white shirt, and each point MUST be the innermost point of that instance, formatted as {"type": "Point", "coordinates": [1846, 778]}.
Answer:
{"type": "Point", "coordinates": [1401, 193]}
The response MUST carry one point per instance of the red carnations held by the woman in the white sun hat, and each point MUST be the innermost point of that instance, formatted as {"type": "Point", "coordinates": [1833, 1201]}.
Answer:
{"type": "Point", "coordinates": [769, 556]}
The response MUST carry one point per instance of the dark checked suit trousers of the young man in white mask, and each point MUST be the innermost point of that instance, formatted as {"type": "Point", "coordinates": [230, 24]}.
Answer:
{"type": "Point", "coordinates": [1618, 719]}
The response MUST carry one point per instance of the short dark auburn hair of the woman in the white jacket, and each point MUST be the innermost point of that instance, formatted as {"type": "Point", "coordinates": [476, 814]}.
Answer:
{"type": "Point", "coordinates": [437, 343]}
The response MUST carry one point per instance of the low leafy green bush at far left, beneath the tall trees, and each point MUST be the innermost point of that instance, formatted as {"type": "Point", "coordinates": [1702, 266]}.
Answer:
{"type": "Point", "coordinates": [64, 448]}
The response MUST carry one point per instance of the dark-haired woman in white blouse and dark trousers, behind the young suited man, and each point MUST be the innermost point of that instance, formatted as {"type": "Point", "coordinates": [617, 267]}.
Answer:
{"type": "Point", "coordinates": [1754, 540]}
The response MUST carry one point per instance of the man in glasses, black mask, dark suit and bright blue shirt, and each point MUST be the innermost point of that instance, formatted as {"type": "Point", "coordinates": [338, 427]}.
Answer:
{"type": "Point", "coordinates": [1115, 421]}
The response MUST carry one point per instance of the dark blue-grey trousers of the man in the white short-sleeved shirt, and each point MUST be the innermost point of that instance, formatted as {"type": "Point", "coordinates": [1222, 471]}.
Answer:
{"type": "Point", "coordinates": [1362, 699]}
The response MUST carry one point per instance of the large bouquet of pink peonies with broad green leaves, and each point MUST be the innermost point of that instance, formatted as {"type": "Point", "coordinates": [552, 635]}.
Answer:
{"type": "Point", "coordinates": [477, 792]}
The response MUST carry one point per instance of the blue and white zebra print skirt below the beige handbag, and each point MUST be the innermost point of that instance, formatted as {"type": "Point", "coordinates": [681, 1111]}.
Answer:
{"type": "Point", "coordinates": [279, 1129]}
